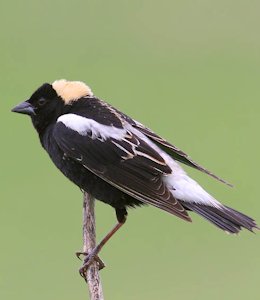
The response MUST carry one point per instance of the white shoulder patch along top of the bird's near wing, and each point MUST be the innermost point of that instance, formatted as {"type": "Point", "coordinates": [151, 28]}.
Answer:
{"type": "Point", "coordinates": [85, 126]}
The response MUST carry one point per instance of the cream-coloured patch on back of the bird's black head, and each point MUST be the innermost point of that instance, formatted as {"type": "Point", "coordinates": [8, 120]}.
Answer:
{"type": "Point", "coordinates": [71, 90]}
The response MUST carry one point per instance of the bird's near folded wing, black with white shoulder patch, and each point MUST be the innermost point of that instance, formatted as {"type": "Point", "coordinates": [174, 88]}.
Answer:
{"type": "Point", "coordinates": [119, 157]}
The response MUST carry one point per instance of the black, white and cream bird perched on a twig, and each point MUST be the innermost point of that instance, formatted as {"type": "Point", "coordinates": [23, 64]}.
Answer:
{"type": "Point", "coordinates": [118, 160]}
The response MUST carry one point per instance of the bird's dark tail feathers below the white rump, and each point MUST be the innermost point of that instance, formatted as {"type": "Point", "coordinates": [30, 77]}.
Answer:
{"type": "Point", "coordinates": [224, 217]}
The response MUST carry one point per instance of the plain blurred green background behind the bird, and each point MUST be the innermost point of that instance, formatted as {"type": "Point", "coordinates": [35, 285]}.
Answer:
{"type": "Point", "coordinates": [188, 69]}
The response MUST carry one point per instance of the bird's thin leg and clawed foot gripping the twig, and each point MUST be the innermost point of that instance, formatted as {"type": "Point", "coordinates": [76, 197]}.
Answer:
{"type": "Point", "coordinates": [93, 255]}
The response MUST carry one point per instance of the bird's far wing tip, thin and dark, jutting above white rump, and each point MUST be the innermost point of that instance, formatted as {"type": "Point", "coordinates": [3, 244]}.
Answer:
{"type": "Point", "coordinates": [173, 151]}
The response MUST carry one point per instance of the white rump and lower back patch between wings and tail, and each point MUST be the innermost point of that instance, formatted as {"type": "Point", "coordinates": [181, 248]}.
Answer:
{"type": "Point", "coordinates": [179, 183]}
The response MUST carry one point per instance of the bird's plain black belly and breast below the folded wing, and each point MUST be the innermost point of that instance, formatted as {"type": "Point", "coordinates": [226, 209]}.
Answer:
{"type": "Point", "coordinates": [86, 180]}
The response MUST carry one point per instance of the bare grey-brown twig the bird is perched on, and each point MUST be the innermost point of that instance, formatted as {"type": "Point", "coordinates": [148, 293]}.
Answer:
{"type": "Point", "coordinates": [89, 239]}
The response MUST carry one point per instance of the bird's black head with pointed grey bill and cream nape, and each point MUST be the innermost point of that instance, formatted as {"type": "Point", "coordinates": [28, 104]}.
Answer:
{"type": "Point", "coordinates": [50, 101]}
